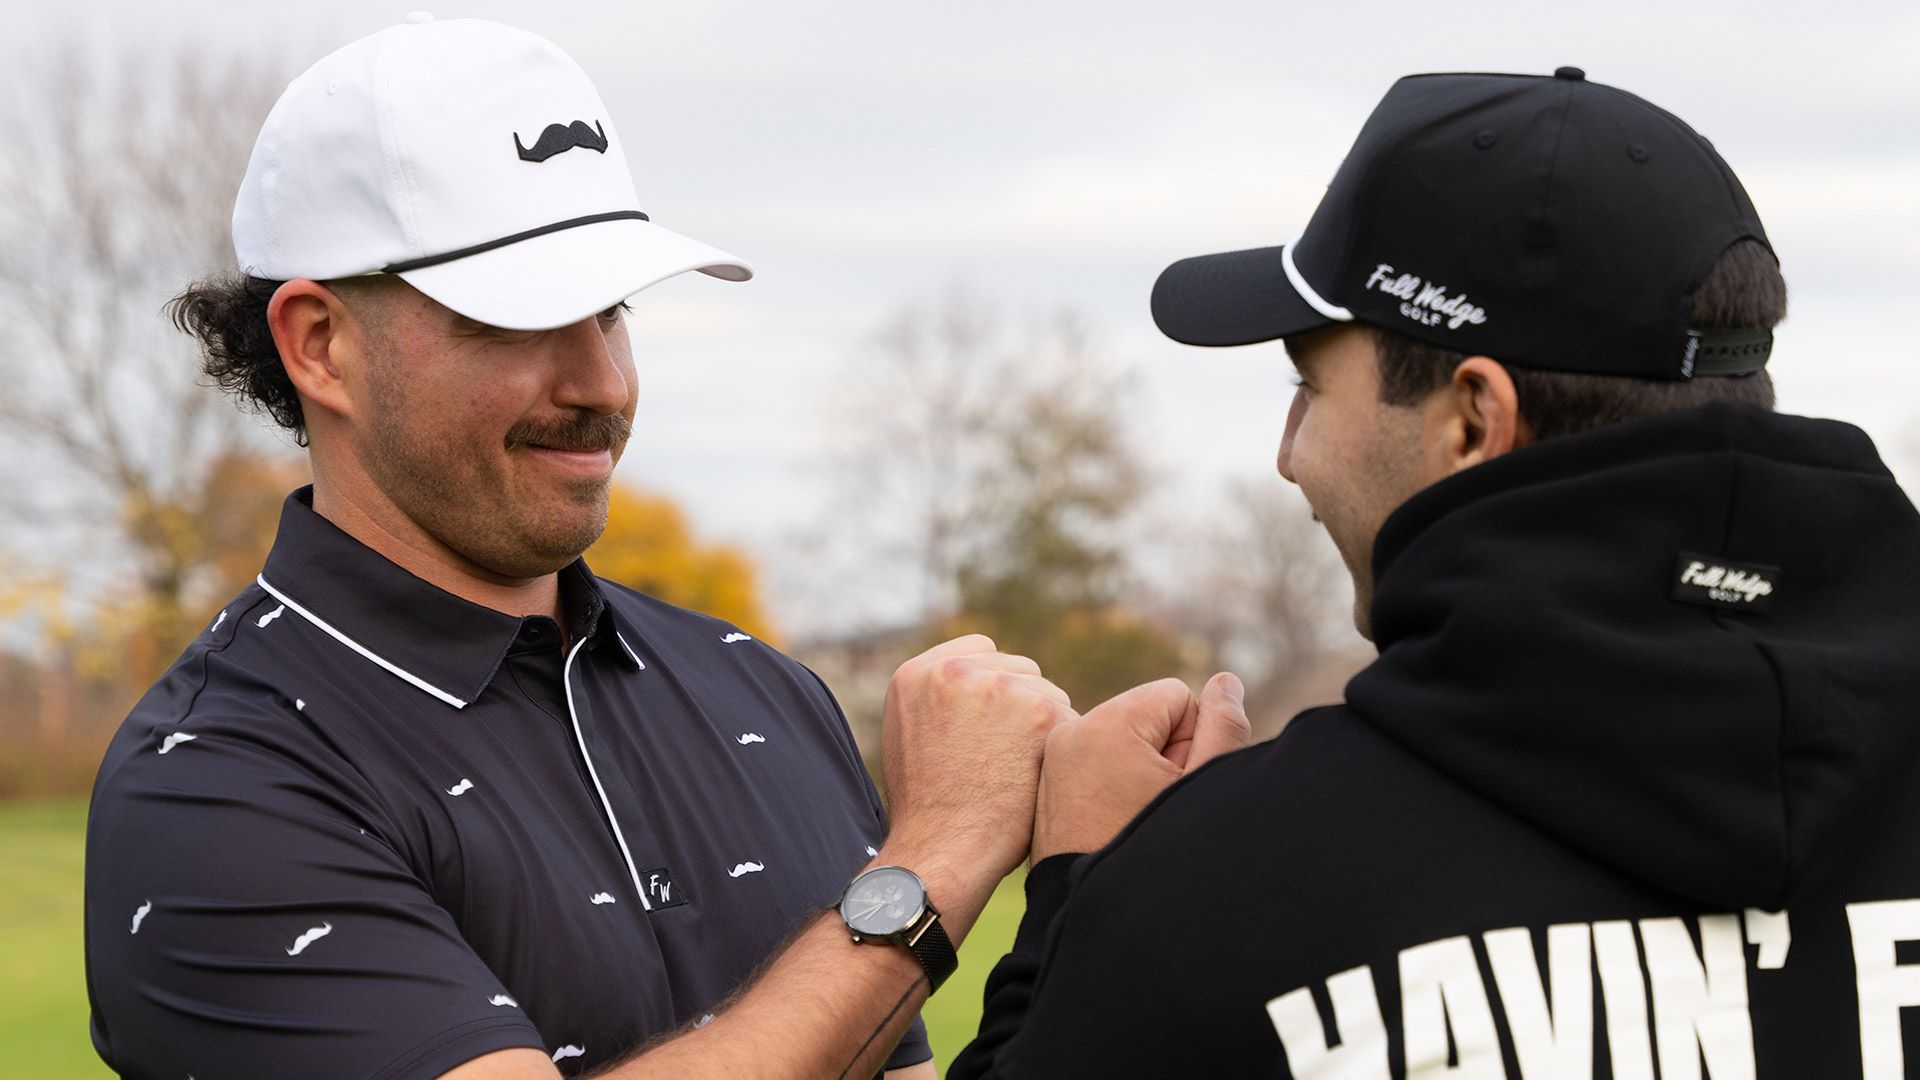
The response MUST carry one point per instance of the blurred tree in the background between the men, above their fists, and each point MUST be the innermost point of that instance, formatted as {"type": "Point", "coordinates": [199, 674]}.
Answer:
{"type": "Point", "coordinates": [988, 470]}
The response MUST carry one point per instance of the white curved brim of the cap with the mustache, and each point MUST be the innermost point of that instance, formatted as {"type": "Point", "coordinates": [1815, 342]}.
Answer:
{"type": "Point", "coordinates": [556, 280]}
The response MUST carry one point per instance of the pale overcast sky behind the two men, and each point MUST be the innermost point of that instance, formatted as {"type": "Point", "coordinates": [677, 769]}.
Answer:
{"type": "Point", "coordinates": [869, 155]}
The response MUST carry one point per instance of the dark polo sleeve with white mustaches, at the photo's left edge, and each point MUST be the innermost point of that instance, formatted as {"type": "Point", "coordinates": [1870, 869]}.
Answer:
{"type": "Point", "coordinates": [249, 918]}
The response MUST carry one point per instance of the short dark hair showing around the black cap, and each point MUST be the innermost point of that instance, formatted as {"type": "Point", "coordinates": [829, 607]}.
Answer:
{"type": "Point", "coordinates": [1744, 289]}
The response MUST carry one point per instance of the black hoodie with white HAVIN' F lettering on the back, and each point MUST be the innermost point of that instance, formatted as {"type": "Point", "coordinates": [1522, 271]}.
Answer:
{"type": "Point", "coordinates": [1631, 791]}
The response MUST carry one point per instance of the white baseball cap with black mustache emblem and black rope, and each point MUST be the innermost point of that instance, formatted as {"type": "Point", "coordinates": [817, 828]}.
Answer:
{"type": "Point", "coordinates": [473, 160]}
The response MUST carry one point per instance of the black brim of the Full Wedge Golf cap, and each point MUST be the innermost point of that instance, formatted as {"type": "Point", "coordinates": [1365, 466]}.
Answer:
{"type": "Point", "coordinates": [1234, 299]}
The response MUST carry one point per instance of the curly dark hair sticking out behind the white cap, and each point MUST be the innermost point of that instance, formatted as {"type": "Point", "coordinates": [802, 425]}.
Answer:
{"type": "Point", "coordinates": [228, 314]}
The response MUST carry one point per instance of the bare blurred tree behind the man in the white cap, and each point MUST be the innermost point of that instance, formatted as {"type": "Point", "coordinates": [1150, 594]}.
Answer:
{"type": "Point", "coordinates": [118, 193]}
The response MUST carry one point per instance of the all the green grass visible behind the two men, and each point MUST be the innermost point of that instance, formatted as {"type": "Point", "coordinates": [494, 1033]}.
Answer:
{"type": "Point", "coordinates": [43, 983]}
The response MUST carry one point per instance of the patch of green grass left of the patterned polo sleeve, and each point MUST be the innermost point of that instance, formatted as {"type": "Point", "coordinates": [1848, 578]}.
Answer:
{"type": "Point", "coordinates": [43, 983]}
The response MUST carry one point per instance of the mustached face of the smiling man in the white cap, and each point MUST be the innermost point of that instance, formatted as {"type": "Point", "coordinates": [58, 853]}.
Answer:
{"type": "Point", "coordinates": [500, 445]}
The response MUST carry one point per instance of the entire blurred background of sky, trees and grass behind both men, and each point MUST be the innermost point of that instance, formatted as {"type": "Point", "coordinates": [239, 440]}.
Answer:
{"type": "Point", "coordinates": [940, 406]}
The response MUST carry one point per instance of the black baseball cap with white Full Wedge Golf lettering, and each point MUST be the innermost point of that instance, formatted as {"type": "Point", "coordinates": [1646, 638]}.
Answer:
{"type": "Point", "coordinates": [1547, 222]}
